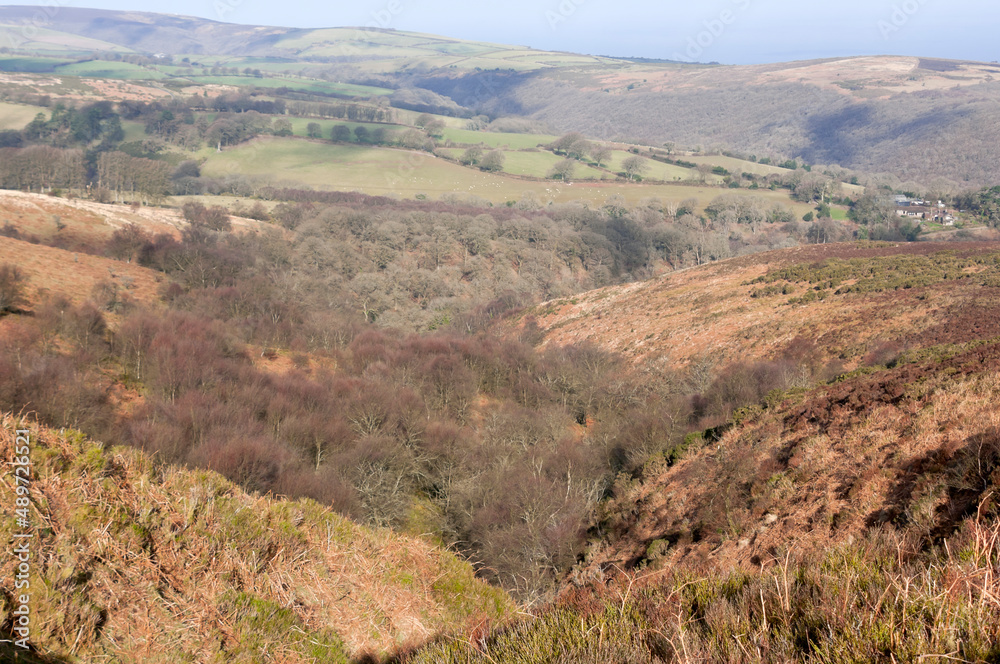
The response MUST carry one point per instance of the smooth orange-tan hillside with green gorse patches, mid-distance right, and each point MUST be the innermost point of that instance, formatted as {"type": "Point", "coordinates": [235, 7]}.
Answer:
{"type": "Point", "coordinates": [821, 303]}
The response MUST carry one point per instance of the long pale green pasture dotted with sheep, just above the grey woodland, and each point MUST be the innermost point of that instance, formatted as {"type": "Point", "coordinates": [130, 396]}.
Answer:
{"type": "Point", "coordinates": [407, 174]}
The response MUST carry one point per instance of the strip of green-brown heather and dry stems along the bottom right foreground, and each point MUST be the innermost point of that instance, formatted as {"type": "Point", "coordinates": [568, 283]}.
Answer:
{"type": "Point", "coordinates": [872, 601]}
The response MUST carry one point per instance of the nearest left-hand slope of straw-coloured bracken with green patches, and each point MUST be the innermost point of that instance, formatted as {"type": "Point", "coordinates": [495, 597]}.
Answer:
{"type": "Point", "coordinates": [141, 562]}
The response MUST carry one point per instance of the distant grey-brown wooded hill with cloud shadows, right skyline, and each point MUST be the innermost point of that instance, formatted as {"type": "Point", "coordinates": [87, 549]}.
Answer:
{"type": "Point", "coordinates": [906, 116]}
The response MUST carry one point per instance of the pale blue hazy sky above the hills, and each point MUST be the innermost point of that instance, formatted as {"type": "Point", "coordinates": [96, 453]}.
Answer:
{"type": "Point", "coordinates": [728, 31]}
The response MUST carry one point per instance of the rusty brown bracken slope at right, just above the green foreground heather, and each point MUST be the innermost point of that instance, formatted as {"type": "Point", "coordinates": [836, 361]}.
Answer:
{"type": "Point", "coordinates": [915, 447]}
